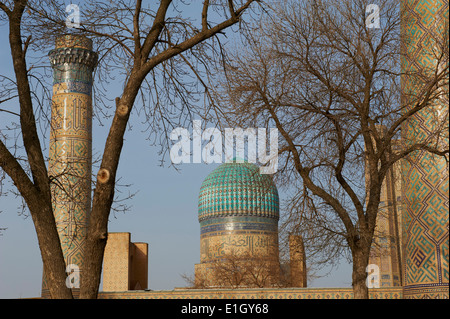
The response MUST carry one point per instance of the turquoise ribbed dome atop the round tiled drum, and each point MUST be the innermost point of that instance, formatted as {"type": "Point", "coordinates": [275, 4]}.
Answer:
{"type": "Point", "coordinates": [238, 189]}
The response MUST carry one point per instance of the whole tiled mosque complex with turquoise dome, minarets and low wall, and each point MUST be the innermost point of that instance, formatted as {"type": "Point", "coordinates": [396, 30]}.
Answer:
{"type": "Point", "coordinates": [238, 207]}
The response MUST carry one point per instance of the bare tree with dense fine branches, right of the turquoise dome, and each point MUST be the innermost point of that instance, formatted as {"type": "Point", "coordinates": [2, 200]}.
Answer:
{"type": "Point", "coordinates": [317, 73]}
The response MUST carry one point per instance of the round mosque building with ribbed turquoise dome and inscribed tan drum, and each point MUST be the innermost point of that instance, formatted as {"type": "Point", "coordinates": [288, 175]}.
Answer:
{"type": "Point", "coordinates": [238, 214]}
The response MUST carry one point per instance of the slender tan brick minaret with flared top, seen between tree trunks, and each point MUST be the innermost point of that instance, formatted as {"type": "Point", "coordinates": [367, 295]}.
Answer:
{"type": "Point", "coordinates": [70, 155]}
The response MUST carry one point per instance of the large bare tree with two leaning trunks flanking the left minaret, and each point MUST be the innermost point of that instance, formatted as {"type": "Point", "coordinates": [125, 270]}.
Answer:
{"type": "Point", "coordinates": [156, 48]}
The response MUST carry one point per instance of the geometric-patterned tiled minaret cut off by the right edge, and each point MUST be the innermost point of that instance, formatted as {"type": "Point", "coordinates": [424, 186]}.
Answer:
{"type": "Point", "coordinates": [425, 191]}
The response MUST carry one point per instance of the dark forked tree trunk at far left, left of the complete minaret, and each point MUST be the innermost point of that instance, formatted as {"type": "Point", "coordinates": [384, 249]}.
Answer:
{"type": "Point", "coordinates": [36, 192]}
